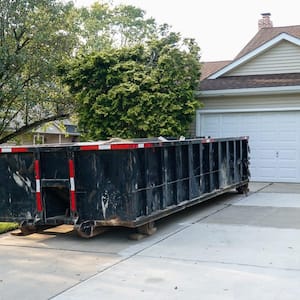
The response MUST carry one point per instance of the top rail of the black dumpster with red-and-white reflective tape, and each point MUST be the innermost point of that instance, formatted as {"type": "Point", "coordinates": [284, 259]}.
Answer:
{"type": "Point", "coordinates": [115, 144]}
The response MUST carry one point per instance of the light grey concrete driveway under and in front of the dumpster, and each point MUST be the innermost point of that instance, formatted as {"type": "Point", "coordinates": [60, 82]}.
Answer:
{"type": "Point", "coordinates": [232, 247]}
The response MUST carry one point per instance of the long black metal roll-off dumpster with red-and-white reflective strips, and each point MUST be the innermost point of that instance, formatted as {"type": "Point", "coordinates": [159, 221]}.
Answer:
{"type": "Point", "coordinates": [116, 183]}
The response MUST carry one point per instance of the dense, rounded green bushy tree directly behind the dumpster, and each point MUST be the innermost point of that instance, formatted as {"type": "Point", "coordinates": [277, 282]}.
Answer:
{"type": "Point", "coordinates": [140, 91]}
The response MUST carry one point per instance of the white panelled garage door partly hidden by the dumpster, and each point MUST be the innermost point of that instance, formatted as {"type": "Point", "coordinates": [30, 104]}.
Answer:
{"type": "Point", "coordinates": [274, 141]}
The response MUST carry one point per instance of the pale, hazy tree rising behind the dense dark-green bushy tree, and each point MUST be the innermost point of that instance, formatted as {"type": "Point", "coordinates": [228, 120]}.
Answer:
{"type": "Point", "coordinates": [104, 26]}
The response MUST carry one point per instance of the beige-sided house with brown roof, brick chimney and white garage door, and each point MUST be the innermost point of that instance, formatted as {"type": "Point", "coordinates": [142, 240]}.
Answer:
{"type": "Point", "coordinates": [258, 94]}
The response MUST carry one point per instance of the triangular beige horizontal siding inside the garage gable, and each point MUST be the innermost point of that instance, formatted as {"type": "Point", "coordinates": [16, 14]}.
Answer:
{"type": "Point", "coordinates": [282, 58]}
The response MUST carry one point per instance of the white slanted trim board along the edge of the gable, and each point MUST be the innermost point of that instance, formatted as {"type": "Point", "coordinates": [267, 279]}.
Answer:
{"type": "Point", "coordinates": [250, 55]}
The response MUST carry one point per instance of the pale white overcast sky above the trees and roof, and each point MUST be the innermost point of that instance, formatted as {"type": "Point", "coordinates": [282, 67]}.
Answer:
{"type": "Point", "coordinates": [221, 27]}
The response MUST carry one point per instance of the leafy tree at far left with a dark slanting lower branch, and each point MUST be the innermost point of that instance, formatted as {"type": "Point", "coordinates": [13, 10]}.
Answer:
{"type": "Point", "coordinates": [35, 36]}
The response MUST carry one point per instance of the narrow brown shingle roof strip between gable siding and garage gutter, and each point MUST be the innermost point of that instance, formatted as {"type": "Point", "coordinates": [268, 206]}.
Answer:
{"type": "Point", "coordinates": [252, 81]}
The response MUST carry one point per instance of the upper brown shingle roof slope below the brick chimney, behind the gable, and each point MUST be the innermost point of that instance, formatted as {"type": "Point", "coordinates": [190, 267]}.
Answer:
{"type": "Point", "coordinates": [266, 34]}
